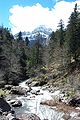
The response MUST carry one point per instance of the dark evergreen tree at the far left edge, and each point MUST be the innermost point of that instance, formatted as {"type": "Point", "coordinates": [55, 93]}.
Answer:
{"type": "Point", "coordinates": [6, 53]}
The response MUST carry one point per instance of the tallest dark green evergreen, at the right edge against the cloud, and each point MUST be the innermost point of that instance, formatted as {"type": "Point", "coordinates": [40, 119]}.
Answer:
{"type": "Point", "coordinates": [73, 31]}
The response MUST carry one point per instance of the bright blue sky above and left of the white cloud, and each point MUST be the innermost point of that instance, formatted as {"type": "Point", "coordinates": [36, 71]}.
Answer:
{"type": "Point", "coordinates": [5, 5]}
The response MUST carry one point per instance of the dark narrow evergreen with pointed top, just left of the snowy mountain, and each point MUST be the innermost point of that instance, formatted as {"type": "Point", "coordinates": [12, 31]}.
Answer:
{"type": "Point", "coordinates": [22, 56]}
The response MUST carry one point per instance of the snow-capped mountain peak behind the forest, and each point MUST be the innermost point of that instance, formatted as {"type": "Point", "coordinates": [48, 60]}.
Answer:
{"type": "Point", "coordinates": [40, 32]}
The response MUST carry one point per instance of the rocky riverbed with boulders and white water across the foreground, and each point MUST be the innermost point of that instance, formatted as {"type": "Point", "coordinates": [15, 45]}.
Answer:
{"type": "Point", "coordinates": [39, 103]}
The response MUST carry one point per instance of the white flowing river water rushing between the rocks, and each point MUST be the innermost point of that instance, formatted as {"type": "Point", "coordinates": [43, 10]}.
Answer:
{"type": "Point", "coordinates": [31, 104]}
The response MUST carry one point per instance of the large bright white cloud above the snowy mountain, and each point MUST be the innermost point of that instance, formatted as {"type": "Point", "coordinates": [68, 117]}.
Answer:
{"type": "Point", "coordinates": [29, 17]}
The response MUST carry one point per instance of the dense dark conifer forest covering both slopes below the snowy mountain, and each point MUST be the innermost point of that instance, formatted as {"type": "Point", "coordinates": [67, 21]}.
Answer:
{"type": "Point", "coordinates": [19, 61]}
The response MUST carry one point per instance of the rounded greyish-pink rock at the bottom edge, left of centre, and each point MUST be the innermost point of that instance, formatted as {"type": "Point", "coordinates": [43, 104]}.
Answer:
{"type": "Point", "coordinates": [28, 116]}
